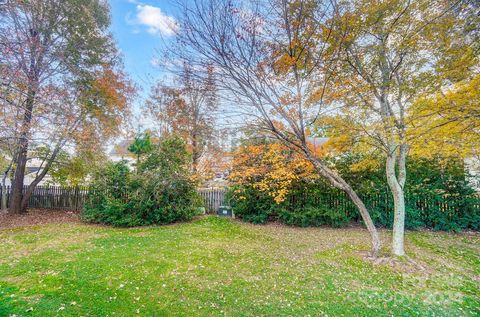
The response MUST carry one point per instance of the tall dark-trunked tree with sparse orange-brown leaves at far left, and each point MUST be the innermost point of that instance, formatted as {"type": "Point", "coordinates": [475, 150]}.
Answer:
{"type": "Point", "coordinates": [61, 60]}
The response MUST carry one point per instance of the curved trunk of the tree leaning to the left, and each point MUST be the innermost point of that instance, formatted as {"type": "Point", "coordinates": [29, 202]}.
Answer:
{"type": "Point", "coordinates": [340, 183]}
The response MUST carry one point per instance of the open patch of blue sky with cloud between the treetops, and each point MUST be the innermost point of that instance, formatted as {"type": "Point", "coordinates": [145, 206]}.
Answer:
{"type": "Point", "coordinates": [140, 28]}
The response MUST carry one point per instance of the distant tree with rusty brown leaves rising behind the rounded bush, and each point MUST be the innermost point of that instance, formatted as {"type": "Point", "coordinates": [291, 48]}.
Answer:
{"type": "Point", "coordinates": [187, 109]}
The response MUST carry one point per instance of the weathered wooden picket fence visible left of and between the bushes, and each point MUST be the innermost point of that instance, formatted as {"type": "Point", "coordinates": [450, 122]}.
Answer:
{"type": "Point", "coordinates": [74, 198]}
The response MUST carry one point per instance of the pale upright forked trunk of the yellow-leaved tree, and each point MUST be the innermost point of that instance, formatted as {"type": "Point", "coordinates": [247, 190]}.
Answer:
{"type": "Point", "coordinates": [396, 185]}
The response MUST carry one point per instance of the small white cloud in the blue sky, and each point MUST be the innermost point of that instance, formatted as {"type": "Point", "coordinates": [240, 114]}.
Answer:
{"type": "Point", "coordinates": [157, 22]}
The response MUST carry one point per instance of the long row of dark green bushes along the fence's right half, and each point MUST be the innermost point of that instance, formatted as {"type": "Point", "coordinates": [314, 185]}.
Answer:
{"type": "Point", "coordinates": [438, 196]}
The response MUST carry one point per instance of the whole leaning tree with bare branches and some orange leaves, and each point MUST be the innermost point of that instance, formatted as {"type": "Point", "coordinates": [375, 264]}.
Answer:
{"type": "Point", "coordinates": [274, 58]}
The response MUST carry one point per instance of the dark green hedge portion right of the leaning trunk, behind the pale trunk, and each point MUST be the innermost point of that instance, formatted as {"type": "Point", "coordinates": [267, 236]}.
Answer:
{"type": "Point", "coordinates": [438, 194]}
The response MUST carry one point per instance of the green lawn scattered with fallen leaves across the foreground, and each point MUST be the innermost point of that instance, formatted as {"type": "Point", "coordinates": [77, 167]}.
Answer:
{"type": "Point", "coordinates": [219, 267]}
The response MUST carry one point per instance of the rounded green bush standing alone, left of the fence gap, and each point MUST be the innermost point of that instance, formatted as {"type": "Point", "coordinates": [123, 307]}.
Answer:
{"type": "Point", "coordinates": [160, 192]}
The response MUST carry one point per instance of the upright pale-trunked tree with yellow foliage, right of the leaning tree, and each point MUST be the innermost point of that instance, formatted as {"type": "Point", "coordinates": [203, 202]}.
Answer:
{"type": "Point", "coordinates": [393, 53]}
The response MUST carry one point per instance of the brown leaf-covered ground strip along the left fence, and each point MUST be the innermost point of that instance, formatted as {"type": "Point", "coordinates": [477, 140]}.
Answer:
{"type": "Point", "coordinates": [35, 217]}
